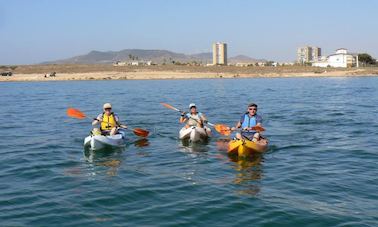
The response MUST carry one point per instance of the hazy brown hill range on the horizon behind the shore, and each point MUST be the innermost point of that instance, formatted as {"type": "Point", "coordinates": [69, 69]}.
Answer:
{"type": "Point", "coordinates": [156, 56]}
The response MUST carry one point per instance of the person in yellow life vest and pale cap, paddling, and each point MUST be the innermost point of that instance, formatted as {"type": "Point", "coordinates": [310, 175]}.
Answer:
{"type": "Point", "coordinates": [109, 121]}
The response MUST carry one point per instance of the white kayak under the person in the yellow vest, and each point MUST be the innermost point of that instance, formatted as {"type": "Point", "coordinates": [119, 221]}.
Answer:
{"type": "Point", "coordinates": [97, 142]}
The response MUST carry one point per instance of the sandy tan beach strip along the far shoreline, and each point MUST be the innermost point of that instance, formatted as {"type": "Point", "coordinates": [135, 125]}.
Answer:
{"type": "Point", "coordinates": [109, 72]}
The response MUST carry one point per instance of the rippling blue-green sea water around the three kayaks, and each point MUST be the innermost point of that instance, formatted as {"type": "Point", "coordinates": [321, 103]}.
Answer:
{"type": "Point", "coordinates": [321, 168]}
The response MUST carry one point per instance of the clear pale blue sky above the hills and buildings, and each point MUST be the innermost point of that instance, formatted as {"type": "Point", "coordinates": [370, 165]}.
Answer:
{"type": "Point", "coordinates": [43, 30]}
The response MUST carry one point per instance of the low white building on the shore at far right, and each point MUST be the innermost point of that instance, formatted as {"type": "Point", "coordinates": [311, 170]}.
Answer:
{"type": "Point", "coordinates": [341, 59]}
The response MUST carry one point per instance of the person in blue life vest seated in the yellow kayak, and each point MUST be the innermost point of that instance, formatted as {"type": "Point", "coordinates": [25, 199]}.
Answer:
{"type": "Point", "coordinates": [247, 121]}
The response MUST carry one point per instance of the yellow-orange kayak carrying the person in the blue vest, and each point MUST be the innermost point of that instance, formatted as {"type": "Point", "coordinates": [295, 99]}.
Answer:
{"type": "Point", "coordinates": [244, 148]}
